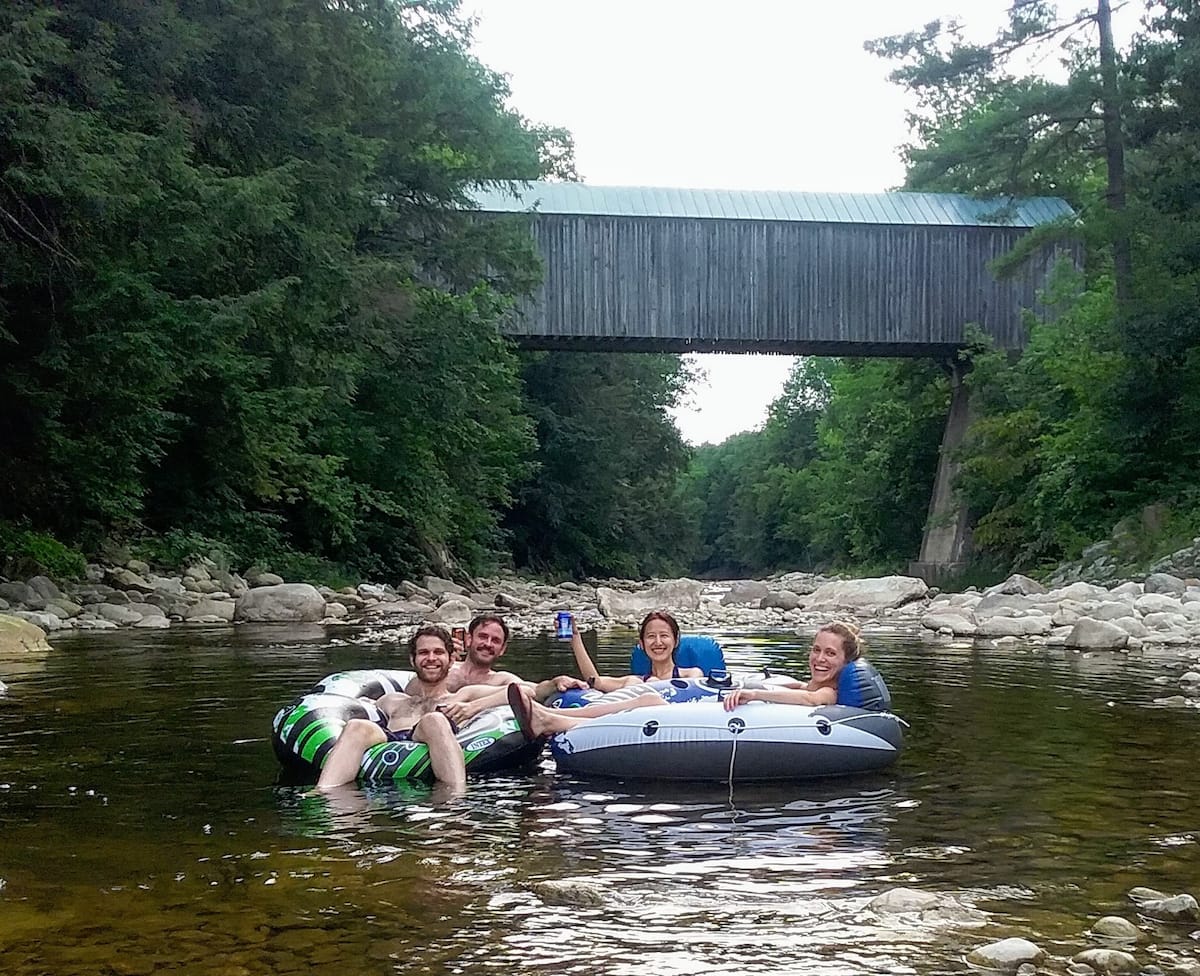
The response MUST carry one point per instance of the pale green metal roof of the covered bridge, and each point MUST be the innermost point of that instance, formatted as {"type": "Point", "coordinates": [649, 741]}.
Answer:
{"type": "Point", "coordinates": [897, 208]}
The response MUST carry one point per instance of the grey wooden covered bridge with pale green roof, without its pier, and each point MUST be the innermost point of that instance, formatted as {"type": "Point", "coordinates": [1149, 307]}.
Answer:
{"type": "Point", "coordinates": [823, 274]}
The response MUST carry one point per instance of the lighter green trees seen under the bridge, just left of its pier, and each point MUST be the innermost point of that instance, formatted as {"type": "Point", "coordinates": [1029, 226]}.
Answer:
{"type": "Point", "coordinates": [841, 474]}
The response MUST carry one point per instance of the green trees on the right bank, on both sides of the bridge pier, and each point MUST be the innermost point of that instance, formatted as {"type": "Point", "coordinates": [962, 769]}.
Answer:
{"type": "Point", "coordinates": [1101, 415]}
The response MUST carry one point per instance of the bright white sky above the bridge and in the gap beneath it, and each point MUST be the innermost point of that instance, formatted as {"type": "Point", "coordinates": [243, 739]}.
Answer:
{"type": "Point", "coordinates": [754, 95]}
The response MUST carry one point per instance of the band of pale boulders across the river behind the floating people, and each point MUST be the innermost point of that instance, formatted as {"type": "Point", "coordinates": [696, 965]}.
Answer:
{"type": "Point", "coordinates": [1162, 610]}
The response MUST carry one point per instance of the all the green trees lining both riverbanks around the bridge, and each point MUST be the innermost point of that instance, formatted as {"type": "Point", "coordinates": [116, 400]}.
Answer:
{"type": "Point", "coordinates": [243, 313]}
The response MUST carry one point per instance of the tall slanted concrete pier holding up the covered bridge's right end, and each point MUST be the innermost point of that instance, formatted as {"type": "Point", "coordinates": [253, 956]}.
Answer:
{"type": "Point", "coordinates": [947, 541]}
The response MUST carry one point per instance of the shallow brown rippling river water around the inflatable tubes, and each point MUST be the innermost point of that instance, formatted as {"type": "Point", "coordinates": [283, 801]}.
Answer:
{"type": "Point", "coordinates": [143, 828]}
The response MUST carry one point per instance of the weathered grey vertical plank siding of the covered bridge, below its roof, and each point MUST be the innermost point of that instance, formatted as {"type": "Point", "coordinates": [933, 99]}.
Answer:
{"type": "Point", "coordinates": [771, 282]}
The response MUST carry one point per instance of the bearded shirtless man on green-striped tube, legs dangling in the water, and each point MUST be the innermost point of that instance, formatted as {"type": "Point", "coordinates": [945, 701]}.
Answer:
{"type": "Point", "coordinates": [425, 712]}
